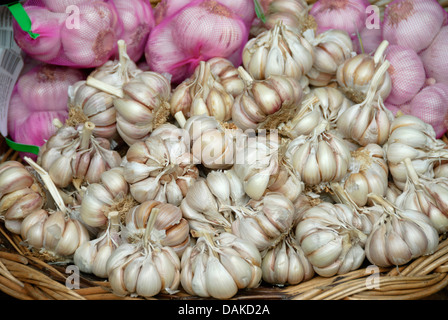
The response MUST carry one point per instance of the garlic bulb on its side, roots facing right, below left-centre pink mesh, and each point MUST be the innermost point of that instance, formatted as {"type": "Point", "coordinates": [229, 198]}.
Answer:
{"type": "Point", "coordinates": [143, 107]}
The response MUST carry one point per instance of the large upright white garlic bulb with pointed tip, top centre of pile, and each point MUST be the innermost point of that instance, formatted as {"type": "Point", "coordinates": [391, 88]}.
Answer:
{"type": "Point", "coordinates": [278, 51]}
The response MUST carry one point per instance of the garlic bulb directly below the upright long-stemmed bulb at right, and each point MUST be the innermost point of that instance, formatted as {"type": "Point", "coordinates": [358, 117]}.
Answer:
{"type": "Point", "coordinates": [368, 173]}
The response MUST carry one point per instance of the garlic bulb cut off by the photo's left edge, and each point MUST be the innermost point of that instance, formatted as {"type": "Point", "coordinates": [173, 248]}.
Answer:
{"type": "Point", "coordinates": [20, 195]}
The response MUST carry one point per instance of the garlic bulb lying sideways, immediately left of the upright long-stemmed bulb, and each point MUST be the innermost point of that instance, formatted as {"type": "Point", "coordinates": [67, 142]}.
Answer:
{"type": "Point", "coordinates": [320, 104]}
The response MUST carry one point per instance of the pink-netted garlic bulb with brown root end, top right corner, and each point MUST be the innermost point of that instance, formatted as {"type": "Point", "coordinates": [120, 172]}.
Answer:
{"type": "Point", "coordinates": [413, 23]}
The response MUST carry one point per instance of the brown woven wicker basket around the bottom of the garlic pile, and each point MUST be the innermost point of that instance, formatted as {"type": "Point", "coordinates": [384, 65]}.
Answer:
{"type": "Point", "coordinates": [24, 276]}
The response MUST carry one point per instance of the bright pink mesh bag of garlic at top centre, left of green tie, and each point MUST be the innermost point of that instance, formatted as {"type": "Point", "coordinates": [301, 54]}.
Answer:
{"type": "Point", "coordinates": [201, 30]}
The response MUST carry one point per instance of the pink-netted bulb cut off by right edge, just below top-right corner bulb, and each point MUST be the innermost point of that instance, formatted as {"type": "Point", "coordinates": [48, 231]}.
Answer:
{"type": "Point", "coordinates": [435, 57]}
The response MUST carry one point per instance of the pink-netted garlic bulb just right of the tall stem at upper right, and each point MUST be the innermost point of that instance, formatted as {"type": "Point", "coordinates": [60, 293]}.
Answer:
{"type": "Point", "coordinates": [406, 72]}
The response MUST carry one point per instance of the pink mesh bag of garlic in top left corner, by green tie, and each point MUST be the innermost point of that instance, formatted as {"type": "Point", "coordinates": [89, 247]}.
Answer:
{"type": "Point", "coordinates": [64, 40]}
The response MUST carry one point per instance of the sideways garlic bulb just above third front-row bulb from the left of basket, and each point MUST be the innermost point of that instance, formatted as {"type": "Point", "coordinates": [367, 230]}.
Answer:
{"type": "Point", "coordinates": [265, 222]}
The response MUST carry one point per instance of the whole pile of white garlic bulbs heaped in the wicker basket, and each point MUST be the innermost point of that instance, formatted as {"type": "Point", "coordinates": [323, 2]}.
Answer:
{"type": "Point", "coordinates": [269, 173]}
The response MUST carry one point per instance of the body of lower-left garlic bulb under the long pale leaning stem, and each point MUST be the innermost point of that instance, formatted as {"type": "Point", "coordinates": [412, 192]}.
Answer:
{"type": "Point", "coordinates": [54, 233]}
